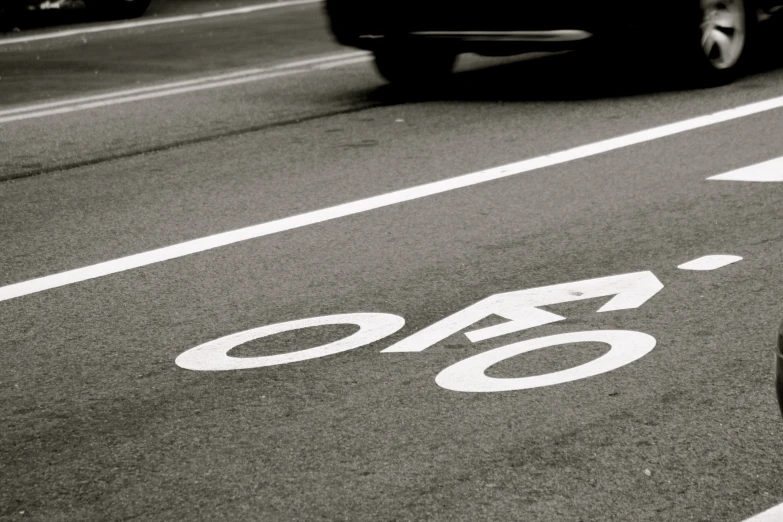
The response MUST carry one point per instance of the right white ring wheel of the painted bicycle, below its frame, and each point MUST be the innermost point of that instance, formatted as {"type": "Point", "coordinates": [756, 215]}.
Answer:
{"type": "Point", "coordinates": [468, 375]}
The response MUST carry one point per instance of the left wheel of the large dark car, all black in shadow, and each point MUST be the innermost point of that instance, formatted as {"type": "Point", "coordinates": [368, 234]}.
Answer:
{"type": "Point", "coordinates": [413, 67]}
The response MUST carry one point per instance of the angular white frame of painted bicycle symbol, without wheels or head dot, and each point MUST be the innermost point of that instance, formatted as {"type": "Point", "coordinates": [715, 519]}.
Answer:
{"type": "Point", "coordinates": [520, 308]}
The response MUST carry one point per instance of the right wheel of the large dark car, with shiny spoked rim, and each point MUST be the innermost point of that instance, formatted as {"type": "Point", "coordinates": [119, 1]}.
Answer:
{"type": "Point", "coordinates": [713, 45]}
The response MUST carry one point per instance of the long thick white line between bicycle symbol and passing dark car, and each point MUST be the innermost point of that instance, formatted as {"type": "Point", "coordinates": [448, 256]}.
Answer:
{"type": "Point", "coordinates": [384, 200]}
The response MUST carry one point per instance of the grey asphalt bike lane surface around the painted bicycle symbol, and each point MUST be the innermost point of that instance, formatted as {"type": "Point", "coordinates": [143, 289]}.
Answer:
{"type": "Point", "coordinates": [100, 413]}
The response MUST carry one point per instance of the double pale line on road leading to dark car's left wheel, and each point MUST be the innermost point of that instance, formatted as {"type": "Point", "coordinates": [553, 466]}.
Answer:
{"type": "Point", "coordinates": [169, 89]}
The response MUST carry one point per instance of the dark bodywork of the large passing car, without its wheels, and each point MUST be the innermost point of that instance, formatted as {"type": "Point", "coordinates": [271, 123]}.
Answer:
{"type": "Point", "coordinates": [497, 26]}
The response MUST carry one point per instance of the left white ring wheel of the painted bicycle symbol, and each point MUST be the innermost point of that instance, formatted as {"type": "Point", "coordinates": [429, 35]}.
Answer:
{"type": "Point", "coordinates": [213, 356]}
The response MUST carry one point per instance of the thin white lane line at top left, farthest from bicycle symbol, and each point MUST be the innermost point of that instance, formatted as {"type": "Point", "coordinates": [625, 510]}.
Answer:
{"type": "Point", "coordinates": [154, 21]}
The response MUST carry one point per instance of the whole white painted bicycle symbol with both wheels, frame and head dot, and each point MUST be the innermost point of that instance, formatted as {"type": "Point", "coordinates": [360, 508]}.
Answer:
{"type": "Point", "coordinates": [519, 308]}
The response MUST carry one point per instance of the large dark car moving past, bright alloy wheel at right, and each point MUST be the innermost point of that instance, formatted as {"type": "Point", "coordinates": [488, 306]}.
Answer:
{"type": "Point", "coordinates": [416, 41]}
